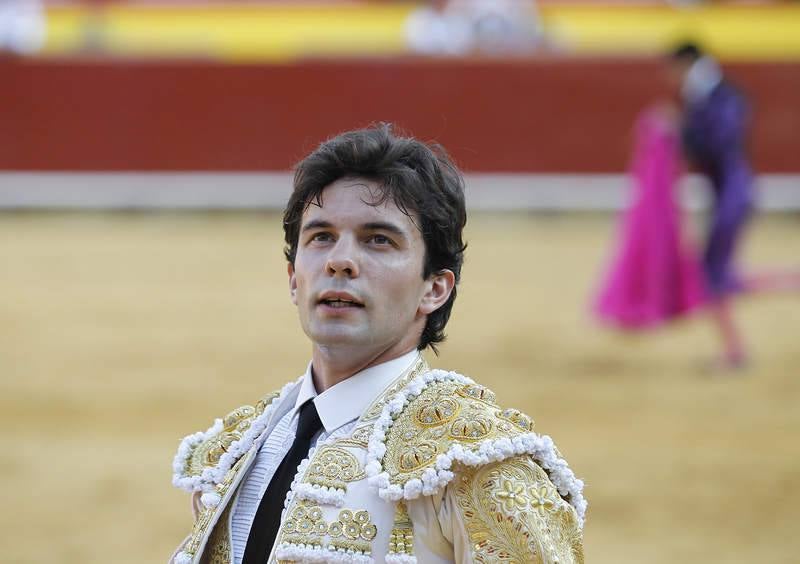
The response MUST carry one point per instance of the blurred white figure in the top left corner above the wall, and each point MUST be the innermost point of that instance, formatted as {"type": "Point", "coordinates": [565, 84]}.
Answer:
{"type": "Point", "coordinates": [22, 26]}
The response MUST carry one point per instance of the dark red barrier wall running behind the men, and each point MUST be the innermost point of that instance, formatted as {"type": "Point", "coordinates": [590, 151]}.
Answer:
{"type": "Point", "coordinates": [530, 116]}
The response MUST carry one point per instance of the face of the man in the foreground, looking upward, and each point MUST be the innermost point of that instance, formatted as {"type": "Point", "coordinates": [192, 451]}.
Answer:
{"type": "Point", "coordinates": [357, 276]}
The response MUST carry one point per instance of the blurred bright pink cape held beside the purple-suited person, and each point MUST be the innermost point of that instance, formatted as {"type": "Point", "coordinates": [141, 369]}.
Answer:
{"type": "Point", "coordinates": [654, 277]}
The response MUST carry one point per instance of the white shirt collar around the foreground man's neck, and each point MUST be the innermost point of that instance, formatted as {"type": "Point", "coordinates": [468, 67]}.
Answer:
{"type": "Point", "coordinates": [347, 400]}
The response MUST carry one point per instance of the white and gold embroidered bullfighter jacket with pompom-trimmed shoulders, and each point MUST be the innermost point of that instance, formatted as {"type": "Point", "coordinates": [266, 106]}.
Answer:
{"type": "Point", "coordinates": [433, 472]}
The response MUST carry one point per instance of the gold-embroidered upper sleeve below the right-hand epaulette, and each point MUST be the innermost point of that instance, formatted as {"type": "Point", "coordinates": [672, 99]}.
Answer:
{"type": "Point", "coordinates": [513, 514]}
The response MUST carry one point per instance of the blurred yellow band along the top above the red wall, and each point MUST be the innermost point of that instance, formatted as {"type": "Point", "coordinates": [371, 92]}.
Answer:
{"type": "Point", "coordinates": [243, 33]}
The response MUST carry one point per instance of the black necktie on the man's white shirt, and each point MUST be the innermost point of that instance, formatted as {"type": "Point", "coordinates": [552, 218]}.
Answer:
{"type": "Point", "coordinates": [268, 517]}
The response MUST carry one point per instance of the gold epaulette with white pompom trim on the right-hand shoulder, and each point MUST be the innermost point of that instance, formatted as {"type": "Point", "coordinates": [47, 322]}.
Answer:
{"type": "Point", "coordinates": [441, 420]}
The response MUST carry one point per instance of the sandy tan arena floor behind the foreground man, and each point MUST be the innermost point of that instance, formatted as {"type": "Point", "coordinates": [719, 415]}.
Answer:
{"type": "Point", "coordinates": [121, 333]}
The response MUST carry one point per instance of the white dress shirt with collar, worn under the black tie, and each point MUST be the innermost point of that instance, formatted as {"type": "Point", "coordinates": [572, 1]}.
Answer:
{"type": "Point", "coordinates": [339, 407]}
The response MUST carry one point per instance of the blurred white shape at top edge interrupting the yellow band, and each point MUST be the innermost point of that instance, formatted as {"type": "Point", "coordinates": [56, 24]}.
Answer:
{"type": "Point", "coordinates": [461, 27]}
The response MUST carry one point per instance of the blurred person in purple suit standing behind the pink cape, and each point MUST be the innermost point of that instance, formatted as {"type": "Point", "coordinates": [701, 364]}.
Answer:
{"type": "Point", "coordinates": [716, 119]}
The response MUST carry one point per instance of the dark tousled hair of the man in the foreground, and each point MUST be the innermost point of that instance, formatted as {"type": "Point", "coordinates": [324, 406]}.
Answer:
{"type": "Point", "coordinates": [421, 180]}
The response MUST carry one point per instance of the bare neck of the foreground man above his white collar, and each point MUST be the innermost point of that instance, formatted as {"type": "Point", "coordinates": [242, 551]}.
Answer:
{"type": "Point", "coordinates": [331, 365]}
